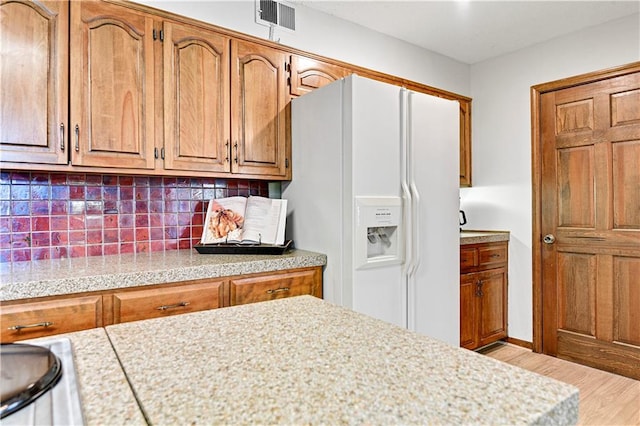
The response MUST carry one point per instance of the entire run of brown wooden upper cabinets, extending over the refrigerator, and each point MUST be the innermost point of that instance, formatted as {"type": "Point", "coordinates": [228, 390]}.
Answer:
{"type": "Point", "coordinates": [114, 86]}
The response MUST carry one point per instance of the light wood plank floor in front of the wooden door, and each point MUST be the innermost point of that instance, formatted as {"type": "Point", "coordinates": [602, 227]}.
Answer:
{"type": "Point", "coordinates": [605, 398]}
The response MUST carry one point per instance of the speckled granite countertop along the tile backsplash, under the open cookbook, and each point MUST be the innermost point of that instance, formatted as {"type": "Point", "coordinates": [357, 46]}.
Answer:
{"type": "Point", "coordinates": [22, 280]}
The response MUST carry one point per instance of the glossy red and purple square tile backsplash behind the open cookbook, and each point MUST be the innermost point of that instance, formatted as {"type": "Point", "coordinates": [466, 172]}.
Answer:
{"type": "Point", "coordinates": [59, 215]}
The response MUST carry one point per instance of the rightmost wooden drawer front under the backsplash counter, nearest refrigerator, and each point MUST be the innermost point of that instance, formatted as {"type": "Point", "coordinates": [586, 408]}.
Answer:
{"type": "Point", "coordinates": [276, 286]}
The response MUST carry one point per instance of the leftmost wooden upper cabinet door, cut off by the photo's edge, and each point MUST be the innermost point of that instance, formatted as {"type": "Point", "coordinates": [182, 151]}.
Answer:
{"type": "Point", "coordinates": [34, 81]}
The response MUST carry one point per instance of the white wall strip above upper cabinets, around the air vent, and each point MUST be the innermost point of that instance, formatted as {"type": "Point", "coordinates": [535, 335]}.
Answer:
{"type": "Point", "coordinates": [335, 38]}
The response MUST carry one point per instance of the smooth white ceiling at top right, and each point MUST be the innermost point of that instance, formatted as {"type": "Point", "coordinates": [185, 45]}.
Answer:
{"type": "Point", "coordinates": [471, 31]}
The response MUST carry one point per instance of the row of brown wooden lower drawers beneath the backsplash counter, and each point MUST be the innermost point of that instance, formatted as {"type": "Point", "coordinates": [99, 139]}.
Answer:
{"type": "Point", "coordinates": [28, 319]}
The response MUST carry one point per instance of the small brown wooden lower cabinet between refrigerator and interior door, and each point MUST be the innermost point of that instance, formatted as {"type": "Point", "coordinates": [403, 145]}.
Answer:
{"type": "Point", "coordinates": [483, 294]}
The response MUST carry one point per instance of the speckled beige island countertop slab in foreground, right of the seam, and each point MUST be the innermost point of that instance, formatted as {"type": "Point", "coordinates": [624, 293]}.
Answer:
{"type": "Point", "coordinates": [303, 360]}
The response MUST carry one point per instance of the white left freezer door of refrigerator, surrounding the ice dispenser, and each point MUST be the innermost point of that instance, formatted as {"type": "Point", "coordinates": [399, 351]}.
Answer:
{"type": "Point", "coordinates": [372, 164]}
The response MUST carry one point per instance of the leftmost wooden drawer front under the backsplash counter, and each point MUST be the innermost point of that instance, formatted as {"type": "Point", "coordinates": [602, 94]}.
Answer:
{"type": "Point", "coordinates": [41, 319]}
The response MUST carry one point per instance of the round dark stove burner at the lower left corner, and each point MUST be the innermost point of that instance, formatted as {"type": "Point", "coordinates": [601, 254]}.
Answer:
{"type": "Point", "coordinates": [27, 372]}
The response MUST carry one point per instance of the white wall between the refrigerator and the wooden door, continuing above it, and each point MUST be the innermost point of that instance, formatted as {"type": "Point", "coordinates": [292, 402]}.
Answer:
{"type": "Point", "coordinates": [501, 194]}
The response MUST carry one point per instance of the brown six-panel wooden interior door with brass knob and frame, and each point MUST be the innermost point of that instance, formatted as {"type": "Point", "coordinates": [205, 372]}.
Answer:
{"type": "Point", "coordinates": [587, 210]}
